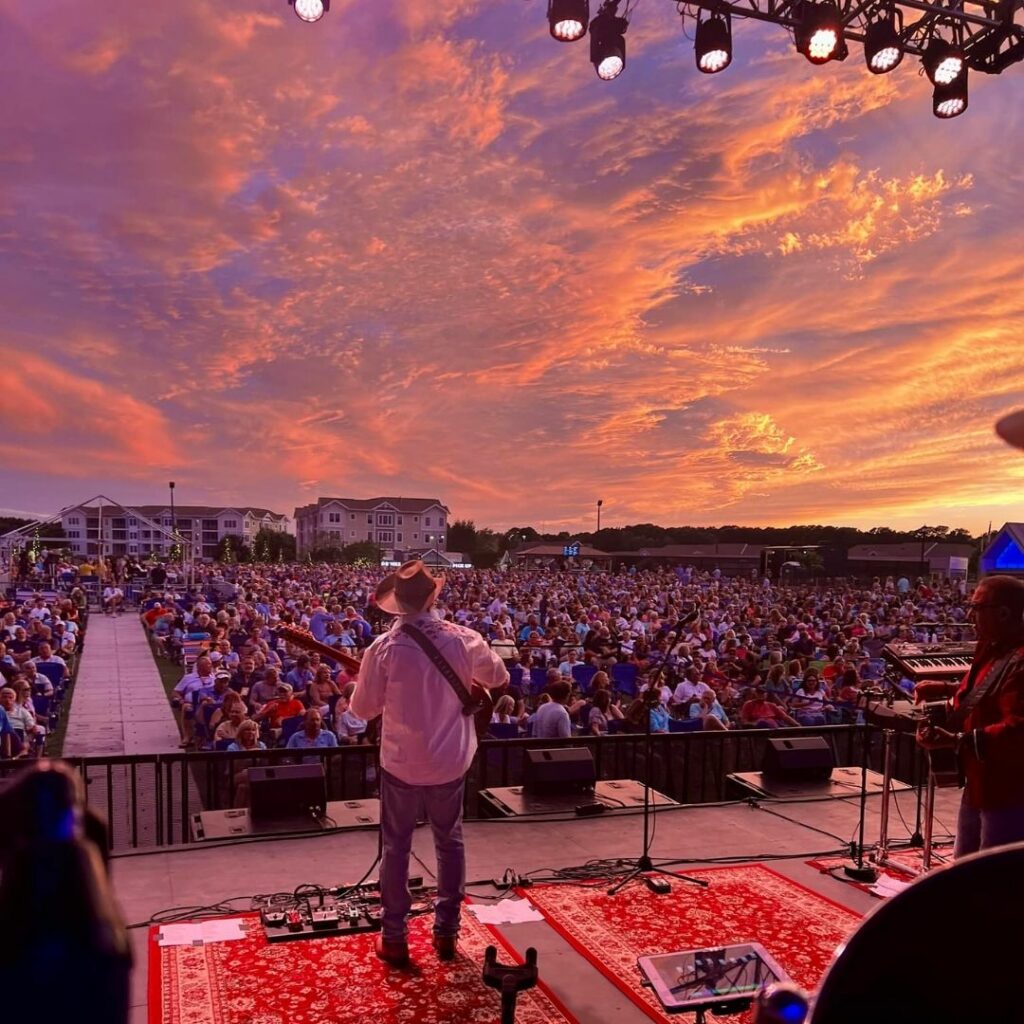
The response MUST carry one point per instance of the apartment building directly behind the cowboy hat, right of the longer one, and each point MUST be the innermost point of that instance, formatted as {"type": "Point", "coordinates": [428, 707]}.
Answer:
{"type": "Point", "coordinates": [396, 525]}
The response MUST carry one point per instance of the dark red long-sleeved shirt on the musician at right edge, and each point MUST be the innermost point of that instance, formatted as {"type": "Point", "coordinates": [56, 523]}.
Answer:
{"type": "Point", "coordinates": [997, 781]}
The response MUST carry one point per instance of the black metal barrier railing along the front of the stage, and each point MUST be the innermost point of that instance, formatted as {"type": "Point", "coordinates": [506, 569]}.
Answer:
{"type": "Point", "coordinates": [149, 800]}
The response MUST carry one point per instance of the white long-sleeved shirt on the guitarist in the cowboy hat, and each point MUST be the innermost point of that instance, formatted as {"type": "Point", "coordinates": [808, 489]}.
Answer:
{"type": "Point", "coordinates": [426, 740]}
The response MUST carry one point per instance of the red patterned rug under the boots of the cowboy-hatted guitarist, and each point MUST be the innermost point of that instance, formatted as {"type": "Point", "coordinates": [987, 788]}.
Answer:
{"type": "Point", "coordinates": [333, 982]}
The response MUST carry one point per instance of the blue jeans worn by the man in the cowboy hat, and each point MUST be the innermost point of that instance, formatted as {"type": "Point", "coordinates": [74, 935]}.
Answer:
{"type": "Point", "coordinates": [402, 805]}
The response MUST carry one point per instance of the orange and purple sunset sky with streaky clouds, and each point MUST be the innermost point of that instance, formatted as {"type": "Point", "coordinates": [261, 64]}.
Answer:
{"type": "Point", "coordinates": [420, 249]}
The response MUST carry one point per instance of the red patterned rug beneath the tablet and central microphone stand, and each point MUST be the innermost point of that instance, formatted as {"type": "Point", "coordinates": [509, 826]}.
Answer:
{"type": "Point", "coordinates": [750, 904]}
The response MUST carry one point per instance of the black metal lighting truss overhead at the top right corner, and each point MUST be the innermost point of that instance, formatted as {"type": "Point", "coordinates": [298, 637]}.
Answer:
{"type": "Point", "coordinates": [991, 33]}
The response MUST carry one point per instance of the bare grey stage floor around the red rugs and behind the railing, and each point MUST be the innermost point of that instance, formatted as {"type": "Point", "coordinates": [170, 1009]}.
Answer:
{"type": "Point", "coordinates": [785, 834]}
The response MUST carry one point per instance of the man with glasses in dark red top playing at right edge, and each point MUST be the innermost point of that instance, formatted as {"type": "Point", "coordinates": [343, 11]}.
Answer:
{"type": "Point", "coordinates": [987, 723]}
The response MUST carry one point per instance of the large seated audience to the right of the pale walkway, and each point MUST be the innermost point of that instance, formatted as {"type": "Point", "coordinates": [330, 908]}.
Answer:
{"type": "Point", "coordinates": [588, 653]}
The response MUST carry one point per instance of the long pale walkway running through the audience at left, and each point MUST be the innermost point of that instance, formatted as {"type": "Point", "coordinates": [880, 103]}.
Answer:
{"type": "Point", "coordinates": [119, 705]}
